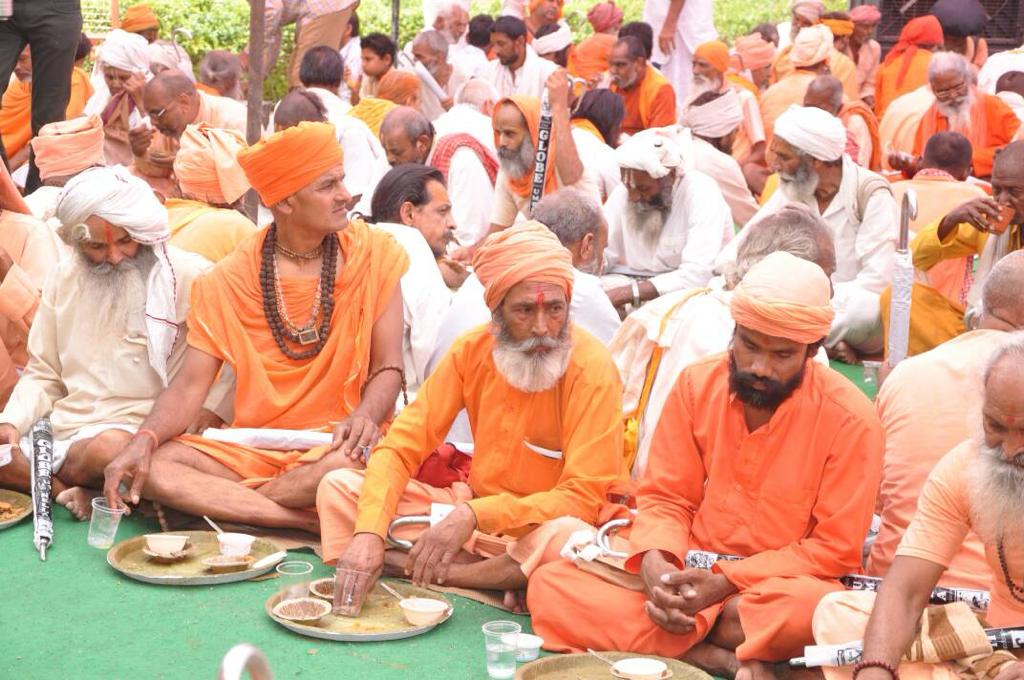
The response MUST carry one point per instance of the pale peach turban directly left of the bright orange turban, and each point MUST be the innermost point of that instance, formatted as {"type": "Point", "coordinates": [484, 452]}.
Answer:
{"type": "Point", "coordinates": [207, 165]}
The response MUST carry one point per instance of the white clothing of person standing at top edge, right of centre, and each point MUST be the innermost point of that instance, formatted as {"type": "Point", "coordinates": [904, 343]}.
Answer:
{"type": "Point", "coordinates": [696, 26]}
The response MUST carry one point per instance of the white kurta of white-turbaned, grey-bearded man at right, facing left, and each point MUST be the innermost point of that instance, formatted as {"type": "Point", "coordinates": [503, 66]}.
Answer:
{"type": "Point", "coordinates": [865, 254]}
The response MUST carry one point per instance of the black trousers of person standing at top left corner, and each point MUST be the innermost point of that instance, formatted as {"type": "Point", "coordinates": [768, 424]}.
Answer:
{"type": "Point", "coordinates": [53, 29]}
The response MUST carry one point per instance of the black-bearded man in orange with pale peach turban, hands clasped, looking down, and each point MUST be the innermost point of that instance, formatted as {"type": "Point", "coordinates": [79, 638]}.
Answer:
{"type": "Point", "coordinates": [720, 479]}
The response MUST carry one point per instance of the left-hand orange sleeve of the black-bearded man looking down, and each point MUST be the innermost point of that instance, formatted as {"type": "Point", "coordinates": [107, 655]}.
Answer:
{"type": "Point", "coordinates": [672, 488]}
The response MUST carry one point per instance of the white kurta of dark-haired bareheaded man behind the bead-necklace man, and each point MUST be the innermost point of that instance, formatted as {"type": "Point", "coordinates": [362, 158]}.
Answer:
{"type": "Point", "coordinates": [425, 300]}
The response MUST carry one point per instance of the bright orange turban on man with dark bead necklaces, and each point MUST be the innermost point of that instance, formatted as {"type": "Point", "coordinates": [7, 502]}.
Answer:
{"type": "Point", "coordinates": [288, 161]}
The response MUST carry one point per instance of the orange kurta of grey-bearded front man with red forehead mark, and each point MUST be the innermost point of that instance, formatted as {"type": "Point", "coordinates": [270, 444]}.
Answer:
{"type": "Point", "coordinates": [538, 456]}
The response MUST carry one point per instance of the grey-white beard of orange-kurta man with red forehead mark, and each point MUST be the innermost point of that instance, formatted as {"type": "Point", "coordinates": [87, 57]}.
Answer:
{"type": "Point", "coordinates": [527, 372]}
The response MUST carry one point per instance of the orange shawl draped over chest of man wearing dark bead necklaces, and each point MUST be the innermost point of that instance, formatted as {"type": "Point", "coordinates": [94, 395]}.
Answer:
{"type": "Point", "coordinates": [227, 321]}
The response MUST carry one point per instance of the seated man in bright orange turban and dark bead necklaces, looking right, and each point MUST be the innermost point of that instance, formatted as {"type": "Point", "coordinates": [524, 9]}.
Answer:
{"type": "Point", "coordinates": [308, 314]}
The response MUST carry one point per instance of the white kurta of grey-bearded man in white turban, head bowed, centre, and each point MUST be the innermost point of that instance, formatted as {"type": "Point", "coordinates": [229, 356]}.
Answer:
{"type": "Point", "coordinates": [698, 227]}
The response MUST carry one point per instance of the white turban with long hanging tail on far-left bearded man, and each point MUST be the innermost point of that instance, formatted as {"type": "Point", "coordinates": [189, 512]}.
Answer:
{"type": "Point", "coordinates": [125, 201]}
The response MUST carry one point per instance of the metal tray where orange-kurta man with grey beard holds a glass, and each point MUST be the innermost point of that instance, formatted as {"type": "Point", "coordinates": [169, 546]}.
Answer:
{"type": "Point", "coordinates": [381, 619]}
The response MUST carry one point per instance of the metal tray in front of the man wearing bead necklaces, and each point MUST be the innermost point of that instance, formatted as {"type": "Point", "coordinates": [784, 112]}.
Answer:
{"type": "Point", "coordinates": [129, 559]}
